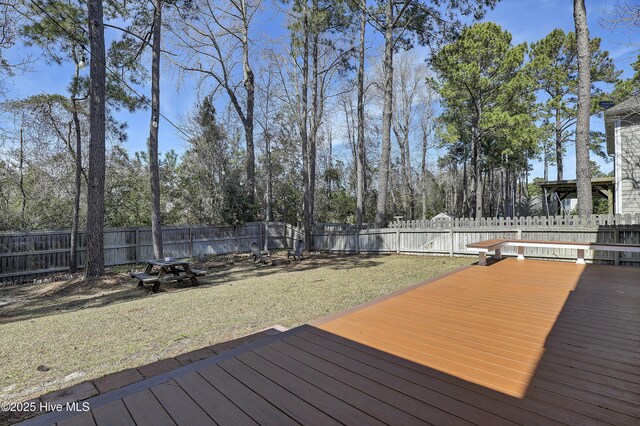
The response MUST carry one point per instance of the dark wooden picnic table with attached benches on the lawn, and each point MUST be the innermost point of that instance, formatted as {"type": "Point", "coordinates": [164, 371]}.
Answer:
{"type": "Point", "coordinates": [168, 269]}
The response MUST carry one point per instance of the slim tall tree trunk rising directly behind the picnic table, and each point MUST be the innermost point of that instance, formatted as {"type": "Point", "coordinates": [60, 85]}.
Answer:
{"type": "Point", "coordinates": [154, 172]}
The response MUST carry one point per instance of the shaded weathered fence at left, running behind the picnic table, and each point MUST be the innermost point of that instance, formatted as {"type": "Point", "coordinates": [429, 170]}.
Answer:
{"type": "Point", "coordinates": [24, 255]}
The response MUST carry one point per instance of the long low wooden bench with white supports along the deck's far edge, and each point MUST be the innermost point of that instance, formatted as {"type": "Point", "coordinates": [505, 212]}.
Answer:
{"type": "Point", "coordinates": [495, 246]}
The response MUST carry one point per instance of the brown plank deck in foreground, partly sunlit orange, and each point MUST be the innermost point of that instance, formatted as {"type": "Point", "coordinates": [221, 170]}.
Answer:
{"type": "Point", "coordinates": [524, 342]}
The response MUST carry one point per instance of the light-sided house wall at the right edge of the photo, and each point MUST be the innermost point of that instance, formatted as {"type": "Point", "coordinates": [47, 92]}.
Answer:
{"type": "Point", "coordinates": [628, 165]}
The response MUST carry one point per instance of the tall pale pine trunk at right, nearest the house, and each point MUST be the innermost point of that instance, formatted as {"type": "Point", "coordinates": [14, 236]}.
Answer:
{"type": "Point", "coordinates": [583, 164]}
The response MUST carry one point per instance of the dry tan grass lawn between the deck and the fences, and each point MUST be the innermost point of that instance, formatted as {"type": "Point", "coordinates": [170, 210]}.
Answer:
{"type": "Point", "coordinates": [82, 330]}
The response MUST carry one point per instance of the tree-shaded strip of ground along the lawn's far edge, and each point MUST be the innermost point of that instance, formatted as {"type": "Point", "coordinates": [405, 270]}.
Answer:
{"type": "Point", "coordinates": [61, 299]}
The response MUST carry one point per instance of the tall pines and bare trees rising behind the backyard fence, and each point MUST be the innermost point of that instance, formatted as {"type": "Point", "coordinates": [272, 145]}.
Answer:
{"type": "Point", "coordinates": [338, 120]}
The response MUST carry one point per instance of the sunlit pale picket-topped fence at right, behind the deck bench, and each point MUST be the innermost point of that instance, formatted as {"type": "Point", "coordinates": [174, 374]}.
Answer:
{"type": "Point", "coordinates": [450, 237]}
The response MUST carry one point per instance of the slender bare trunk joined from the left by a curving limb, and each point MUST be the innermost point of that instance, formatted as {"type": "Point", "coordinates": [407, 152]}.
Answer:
{"type": "Point", "coordinates": [249, 85]}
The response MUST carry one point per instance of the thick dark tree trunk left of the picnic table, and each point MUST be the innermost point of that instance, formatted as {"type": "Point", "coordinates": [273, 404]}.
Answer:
{"type": "Point", "coordinates": [95, 188]}
